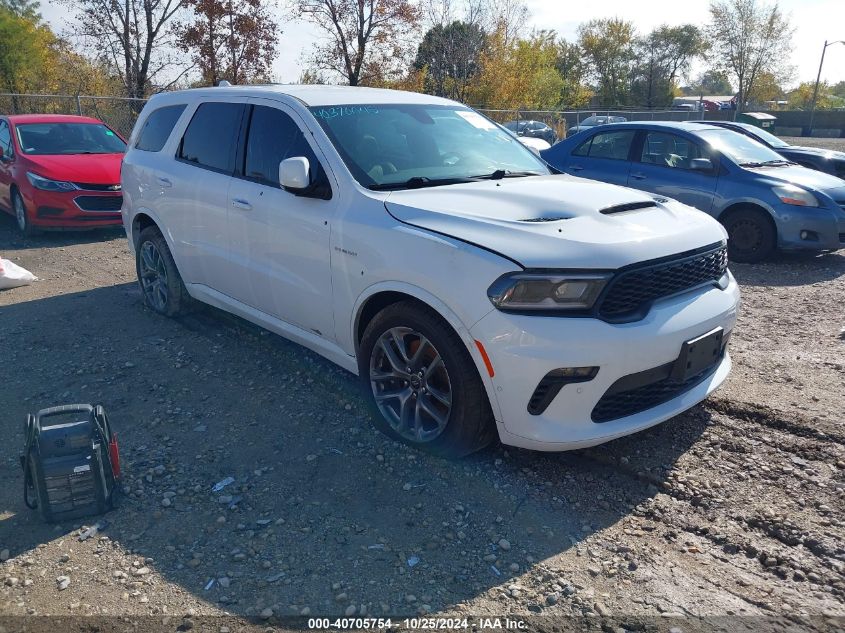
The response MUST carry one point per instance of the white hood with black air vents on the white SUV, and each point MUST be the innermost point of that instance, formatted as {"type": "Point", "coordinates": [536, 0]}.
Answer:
{"type": "Point", "coordinates": [557, 221]}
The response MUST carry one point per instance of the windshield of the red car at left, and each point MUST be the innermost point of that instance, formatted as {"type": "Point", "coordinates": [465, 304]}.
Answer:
{"type": "Point", "coordinates": [68, 138]}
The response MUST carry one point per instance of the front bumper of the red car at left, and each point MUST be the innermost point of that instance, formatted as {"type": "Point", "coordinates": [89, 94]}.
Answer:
{"type": "Point", "coordinates": [72, 209]}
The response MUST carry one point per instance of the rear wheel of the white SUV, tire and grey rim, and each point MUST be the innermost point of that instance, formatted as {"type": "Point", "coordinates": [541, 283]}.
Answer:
{"type": "Point", "coordinates": [165, 294]}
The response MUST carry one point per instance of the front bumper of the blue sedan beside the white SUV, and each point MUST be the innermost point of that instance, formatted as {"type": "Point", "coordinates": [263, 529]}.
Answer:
{"type": "Point", "coordinates": [815, 228]}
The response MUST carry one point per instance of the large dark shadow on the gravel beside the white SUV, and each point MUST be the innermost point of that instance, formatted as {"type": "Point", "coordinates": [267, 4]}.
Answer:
{"type": "Point", "coordinates": [319, 498]}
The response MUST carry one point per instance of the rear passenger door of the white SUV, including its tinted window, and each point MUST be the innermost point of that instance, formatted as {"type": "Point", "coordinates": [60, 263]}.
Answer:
{"type": "Point", "coordinates": [194, 190]}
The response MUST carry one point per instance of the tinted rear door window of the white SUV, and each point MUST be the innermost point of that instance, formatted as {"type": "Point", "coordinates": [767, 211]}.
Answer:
{"type": "Point", "coordinates": [211, 136]}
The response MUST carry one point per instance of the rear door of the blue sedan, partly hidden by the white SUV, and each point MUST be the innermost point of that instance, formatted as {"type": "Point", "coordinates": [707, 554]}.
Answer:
{"type": "Point", "coordinates": [603, 155]}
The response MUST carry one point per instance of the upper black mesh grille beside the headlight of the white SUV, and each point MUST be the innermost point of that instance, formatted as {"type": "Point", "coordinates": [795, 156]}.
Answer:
{"type": "Point", "coordinates": [631, 292]}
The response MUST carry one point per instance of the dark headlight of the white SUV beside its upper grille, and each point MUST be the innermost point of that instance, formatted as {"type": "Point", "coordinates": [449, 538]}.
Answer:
{"type": "Point", "coordinates": [547, 290]}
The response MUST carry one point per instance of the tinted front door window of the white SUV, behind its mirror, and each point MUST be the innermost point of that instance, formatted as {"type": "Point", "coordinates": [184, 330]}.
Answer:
{"type": "Point", "coordinates": [273, 137]}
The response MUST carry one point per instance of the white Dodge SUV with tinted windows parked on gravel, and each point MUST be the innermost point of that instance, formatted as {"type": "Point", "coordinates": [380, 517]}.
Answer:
{"type": "Point", "coordinates": [412, 241]}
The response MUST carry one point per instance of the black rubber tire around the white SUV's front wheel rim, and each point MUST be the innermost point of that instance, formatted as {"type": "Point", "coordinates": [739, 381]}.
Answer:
{"type": "Point", "coordinates": [469, 424]}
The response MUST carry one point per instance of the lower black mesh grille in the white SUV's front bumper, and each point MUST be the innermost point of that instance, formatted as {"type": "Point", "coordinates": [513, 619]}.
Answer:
{"type": "Point", "coordinates": [620, 402]}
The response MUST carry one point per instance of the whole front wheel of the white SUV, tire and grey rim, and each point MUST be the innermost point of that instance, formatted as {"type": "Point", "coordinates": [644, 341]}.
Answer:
{"type": "Point", "coordinates": [423, 383]}
